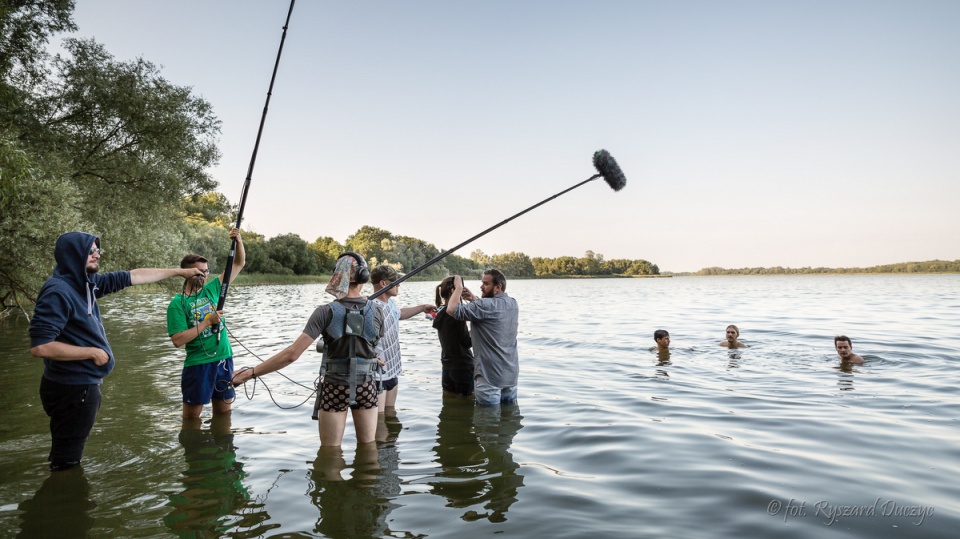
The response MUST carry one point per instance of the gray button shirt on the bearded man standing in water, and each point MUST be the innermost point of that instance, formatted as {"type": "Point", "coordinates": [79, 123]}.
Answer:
{"type": "Point", "coordinates": [494, 333]}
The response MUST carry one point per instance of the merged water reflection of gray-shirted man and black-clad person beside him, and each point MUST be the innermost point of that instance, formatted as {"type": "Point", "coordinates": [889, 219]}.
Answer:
{"type": "Point", "coordinates": [473, 450]}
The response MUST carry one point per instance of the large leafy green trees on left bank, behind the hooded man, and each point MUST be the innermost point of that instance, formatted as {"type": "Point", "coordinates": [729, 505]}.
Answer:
{"type": "Point", "coordinates": [94, 144]}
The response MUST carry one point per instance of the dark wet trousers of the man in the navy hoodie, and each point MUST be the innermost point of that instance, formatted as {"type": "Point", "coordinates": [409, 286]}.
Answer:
{"type": "Point", "coordinates": [73, 411]}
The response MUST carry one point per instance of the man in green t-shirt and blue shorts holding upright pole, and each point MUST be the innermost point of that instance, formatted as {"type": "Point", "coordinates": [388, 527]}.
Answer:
{"type": "Point", "coordinates": [190, 316]}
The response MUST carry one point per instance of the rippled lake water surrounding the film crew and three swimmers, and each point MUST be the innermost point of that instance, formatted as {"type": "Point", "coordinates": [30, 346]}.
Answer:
{"type": "Point", "coordinates": [775, 440]}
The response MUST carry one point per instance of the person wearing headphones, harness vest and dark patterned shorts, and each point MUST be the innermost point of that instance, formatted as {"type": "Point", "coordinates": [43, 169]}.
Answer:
{"type": "Point", "coordinates": [351, 327]}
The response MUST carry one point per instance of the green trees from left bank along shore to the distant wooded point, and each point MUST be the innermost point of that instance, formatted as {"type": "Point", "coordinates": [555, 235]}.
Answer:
{"type": "Point", "coordinates": [89, 142]}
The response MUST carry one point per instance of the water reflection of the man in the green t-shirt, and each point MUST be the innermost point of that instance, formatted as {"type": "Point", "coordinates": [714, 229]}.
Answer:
{"type": "Point", "coordinates": [213, 489]}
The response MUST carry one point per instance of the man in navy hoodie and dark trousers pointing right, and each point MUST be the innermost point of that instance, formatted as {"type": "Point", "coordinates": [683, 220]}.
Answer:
{"type": "Point", "coordinates": [67, 332]}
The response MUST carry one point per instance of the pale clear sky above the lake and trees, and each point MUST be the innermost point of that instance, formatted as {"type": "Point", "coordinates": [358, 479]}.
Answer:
{"type": "Point", "coordinates": [751, 133]}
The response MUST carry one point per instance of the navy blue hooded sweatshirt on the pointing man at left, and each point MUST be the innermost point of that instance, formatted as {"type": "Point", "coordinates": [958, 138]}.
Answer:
{"type": "Point", "coordinates": [67, 310]}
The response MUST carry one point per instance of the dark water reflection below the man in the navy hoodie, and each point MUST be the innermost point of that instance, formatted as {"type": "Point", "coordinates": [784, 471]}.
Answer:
{"type": "Point", "coordinates": [60, 508]}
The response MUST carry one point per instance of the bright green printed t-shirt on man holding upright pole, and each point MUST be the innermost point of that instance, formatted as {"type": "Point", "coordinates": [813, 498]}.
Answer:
{"type": "Point", "coordinates": [185, 312]}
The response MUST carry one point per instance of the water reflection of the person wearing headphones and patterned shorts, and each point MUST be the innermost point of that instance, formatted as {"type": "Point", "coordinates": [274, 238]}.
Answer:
{"type": "Point", "coordinates": [354, 507]}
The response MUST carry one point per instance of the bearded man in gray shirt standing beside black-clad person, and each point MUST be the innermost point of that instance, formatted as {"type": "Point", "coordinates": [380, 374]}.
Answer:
{"type": "Point", "coordinates": [494, 319]}
